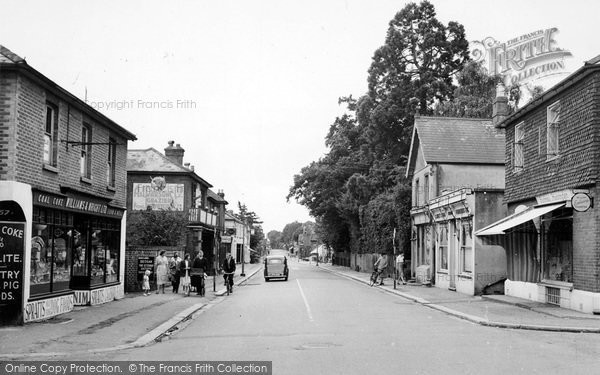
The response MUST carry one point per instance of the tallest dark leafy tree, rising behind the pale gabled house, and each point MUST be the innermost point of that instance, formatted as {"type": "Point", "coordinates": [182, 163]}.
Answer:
{"type": "Point", "coordinates": [410, 72]}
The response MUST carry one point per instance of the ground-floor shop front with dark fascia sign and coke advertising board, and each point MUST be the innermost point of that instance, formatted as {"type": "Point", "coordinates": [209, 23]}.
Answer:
{"type": "Point", "coordinates": [72, 251]}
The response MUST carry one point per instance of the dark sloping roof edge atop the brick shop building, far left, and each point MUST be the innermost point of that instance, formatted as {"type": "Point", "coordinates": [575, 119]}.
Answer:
{"type": "Point", "coordinates": [11, 61]}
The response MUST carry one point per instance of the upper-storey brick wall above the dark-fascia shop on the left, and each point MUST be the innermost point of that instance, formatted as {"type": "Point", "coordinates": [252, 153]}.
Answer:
{"type": "Point", "coordinates": [31, 102]}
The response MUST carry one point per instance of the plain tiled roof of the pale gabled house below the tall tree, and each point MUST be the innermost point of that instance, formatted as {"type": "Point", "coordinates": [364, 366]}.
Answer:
{"type": "Point", "coordinates": [460, 140]}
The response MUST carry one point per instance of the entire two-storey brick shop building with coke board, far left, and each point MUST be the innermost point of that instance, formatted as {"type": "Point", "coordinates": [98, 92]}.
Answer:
{"type": "Point", "coordinates": [62, 198]}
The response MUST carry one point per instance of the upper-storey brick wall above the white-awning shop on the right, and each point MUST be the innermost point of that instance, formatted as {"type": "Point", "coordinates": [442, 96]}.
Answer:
{"type": "Point", "coordinates": [579, 145]}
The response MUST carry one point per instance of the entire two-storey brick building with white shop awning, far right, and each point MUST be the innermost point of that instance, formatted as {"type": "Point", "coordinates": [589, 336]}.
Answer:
{"type": "Point", "coordinates": [552, 235]}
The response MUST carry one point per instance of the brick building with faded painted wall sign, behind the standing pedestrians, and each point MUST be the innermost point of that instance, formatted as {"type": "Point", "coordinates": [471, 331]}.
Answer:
{"type": "Point", "coordinates": [164, 183]}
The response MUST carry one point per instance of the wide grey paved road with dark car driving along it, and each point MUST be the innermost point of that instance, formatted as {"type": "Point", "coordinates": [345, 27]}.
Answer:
{"type": "Point", "coordinates": [320, 323]}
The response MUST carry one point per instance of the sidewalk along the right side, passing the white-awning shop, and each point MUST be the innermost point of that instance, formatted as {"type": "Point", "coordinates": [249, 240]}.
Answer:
{"type": "Point", "coordinates": [493, 310]}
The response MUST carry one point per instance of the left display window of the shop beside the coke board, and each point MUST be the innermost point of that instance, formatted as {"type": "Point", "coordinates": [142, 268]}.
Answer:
{"type": "Point", "coordinates": [51, 244]}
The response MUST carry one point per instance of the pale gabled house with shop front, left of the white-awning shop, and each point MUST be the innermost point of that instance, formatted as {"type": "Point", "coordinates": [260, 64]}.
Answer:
{"type": "Point", "coordinates": [457, 169]}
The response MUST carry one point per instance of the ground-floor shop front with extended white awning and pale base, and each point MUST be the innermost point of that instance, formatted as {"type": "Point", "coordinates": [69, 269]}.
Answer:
{"type": "Point", "coordinates": [549, 243]}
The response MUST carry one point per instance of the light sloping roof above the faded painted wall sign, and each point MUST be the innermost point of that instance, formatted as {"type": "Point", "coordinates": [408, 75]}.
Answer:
{"type": "Point", "coordinates": [152, 161]}
